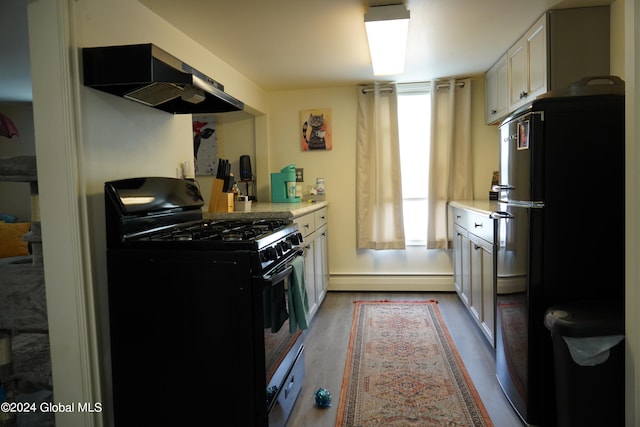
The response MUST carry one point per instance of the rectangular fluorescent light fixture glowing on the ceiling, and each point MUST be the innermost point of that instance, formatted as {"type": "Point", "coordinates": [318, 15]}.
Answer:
{"type": "Point", "coordinates": [387, 28]}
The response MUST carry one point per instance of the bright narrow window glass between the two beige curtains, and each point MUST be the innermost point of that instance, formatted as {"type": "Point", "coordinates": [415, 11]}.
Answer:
{"type": "Point", "coordinates": [414, 127]}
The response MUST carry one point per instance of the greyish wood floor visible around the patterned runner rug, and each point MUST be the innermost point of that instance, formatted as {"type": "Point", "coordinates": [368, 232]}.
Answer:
{"type": "Point", "coordinates": [326, 347]}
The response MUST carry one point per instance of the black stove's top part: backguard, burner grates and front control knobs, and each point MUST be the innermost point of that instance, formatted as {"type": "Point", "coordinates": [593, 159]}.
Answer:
{"type": "Point", "coordinates": [166, 213]}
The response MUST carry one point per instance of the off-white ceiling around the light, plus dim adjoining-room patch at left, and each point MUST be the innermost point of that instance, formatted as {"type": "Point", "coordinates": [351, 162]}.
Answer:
{"type": "Point", "coordinates": [295, 44]}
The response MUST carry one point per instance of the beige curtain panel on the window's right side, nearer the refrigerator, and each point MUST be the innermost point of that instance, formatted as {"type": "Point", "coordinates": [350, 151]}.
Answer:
{"type": "Point", "coordinates": [451, 169]}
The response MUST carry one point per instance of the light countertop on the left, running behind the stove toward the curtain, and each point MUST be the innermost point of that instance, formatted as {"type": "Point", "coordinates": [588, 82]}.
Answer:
{"type": "Point", "coordinates": [268, 210]}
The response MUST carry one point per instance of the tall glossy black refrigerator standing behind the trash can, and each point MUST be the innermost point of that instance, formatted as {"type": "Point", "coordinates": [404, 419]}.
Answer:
{"type": "Point", "coordinates": [560, 232]}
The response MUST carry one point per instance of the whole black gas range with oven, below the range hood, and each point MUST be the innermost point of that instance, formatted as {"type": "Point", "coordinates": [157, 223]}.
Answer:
{"type": "Point", "coordinates": [179, 286]}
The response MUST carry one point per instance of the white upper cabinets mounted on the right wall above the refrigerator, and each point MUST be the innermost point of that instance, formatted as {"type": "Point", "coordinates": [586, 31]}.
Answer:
{"type": "Point", "coordinates": [560, 48]}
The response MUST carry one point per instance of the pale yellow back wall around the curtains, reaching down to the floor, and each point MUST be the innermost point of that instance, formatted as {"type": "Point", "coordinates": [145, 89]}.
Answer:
{"type": "Point", "coordinates": [414, 268]}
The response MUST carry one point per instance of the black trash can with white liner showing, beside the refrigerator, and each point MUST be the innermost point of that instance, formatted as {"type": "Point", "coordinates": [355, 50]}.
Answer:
{"type": "Point", "coordinates": [588, 353]}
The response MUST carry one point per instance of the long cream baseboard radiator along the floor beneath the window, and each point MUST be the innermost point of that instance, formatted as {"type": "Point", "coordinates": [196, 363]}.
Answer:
{"type": "Point", "coordinates": [391, 282]}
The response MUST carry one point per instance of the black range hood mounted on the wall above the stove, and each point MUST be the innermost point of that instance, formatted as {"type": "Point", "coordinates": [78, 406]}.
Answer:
{"type": "Point", "coordinates": [147, 74]}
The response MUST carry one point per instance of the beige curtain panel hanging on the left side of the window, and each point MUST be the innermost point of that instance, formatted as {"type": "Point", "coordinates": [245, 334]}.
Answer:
{"type": "Point", "coordinates": [378, 178]}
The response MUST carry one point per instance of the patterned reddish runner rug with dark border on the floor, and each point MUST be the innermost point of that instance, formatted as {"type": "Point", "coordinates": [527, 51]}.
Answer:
{"type": "Point", "coordinates": [402, 369]}
